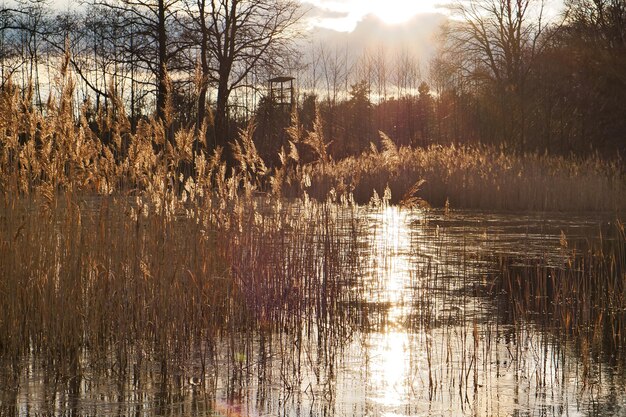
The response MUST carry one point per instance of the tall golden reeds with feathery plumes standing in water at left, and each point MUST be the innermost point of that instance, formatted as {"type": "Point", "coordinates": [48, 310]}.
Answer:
{"type": "Point", "coordinates": [141, 254]}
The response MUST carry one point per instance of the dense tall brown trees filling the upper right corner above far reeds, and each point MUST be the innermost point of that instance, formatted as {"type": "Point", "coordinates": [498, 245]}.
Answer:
{"type": "Point", "coordinates": [539, 83]}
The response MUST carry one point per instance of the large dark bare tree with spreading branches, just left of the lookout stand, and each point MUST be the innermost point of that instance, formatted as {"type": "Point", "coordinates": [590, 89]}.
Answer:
{"type": "Point", "coordinates": [238, 37]}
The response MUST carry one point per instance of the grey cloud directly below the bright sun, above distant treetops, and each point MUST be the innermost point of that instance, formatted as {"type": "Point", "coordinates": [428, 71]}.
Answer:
{"type": "Point", "coordinates": [327, 49]}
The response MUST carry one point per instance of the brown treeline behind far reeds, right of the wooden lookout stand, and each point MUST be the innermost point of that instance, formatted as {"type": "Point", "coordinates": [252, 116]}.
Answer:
{"type": "Point", "coordinates": [507, 73]}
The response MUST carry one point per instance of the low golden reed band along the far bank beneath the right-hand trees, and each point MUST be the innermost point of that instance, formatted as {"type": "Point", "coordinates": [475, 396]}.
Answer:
{"type": "Point", "coordinates": [478, 177]}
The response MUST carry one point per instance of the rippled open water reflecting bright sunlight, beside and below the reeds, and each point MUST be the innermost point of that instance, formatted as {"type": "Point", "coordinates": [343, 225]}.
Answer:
{"type": "Point", "coordinates": [420, 332]}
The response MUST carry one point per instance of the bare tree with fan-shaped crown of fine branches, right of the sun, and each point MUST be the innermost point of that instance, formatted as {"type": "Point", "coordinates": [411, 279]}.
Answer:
{"type": "Point", "coordinates": [495, 44]}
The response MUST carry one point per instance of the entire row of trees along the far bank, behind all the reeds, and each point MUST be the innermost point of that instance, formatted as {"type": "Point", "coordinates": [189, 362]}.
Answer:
{"type": "Point", "coordinates": [506, 73]}
